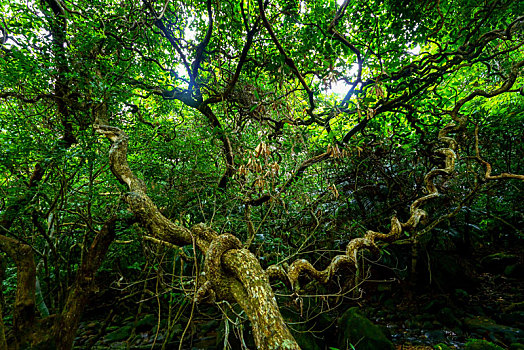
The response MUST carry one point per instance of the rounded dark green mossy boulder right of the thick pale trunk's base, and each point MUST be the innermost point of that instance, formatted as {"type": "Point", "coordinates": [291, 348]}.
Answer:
{"type": "Point", "coordinates": [359, 332]}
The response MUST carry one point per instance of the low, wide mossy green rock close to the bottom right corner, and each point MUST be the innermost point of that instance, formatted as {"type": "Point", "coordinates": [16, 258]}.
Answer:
{"type": "Point", "coordinates": [484, 326]}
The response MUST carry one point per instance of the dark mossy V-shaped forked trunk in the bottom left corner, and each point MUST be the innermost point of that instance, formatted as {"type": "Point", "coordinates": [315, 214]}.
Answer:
{"type": "Point", "coordinates": [56, 331]}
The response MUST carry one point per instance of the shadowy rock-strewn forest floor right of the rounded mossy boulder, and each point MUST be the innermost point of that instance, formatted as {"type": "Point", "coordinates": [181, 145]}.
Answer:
{"type": "Point", "coordinates": [491, 307]}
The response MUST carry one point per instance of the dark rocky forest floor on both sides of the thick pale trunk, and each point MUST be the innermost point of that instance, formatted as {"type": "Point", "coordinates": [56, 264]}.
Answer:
{"type": "Point", "coordinates": [489, 306]}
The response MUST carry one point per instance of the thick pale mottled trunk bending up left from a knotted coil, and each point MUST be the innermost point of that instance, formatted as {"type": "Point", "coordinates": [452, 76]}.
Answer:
{"type": "Point", "coordinates": [230, 273]}
